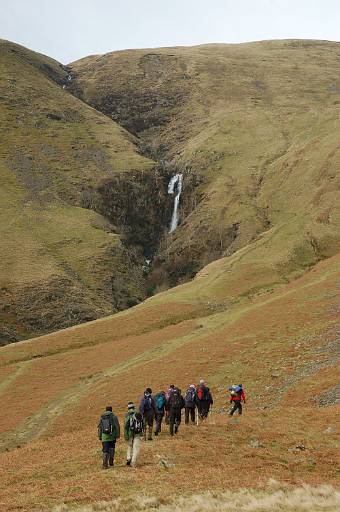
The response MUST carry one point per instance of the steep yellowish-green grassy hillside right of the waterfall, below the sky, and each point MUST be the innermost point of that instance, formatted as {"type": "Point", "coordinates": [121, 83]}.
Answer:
{"type": "Point", "coordinates": [253, 128]}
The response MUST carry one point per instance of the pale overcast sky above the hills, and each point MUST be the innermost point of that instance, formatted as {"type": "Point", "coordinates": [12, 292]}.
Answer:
{"type": "Point", "coordinates": [70, 29]}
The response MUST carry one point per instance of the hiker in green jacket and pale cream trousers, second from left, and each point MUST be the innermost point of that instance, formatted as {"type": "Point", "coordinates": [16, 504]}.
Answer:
{"type": "Point", "coordinates": [133, 432]}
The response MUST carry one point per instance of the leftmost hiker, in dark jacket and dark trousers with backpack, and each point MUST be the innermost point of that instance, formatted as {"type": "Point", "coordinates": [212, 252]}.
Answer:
{"type": "Point", "coordinates": [108, 433]}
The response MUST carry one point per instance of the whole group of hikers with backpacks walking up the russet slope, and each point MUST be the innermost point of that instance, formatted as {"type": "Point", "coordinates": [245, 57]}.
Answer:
{"type": "Point", "coordinates": [139, 422]}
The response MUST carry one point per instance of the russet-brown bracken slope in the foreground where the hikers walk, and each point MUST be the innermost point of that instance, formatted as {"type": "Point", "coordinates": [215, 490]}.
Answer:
{"type": "Point", "coordinates": [292, 336]}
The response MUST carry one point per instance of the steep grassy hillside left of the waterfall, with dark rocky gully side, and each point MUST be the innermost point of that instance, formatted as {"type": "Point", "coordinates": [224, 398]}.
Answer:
{"type": "Point", "coordinates": [72, 185]}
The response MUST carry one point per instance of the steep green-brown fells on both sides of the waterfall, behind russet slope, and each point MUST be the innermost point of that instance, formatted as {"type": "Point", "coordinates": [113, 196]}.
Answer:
{"type": "Point", "coordinates": [252, 128]}
